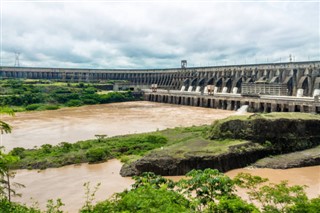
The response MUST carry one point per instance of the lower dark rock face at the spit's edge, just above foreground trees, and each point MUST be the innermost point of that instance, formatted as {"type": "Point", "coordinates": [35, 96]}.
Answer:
{"type": "Point", "coordinates": [167, 165]}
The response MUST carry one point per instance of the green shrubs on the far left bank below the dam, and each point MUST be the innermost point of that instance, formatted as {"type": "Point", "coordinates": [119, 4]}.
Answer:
{"type": "Point", "coordinates": [28, 95]}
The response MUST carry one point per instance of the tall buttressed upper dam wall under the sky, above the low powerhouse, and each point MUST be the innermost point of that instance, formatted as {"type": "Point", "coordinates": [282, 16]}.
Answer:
{"type": "Point", "coordinates": [300, 78]}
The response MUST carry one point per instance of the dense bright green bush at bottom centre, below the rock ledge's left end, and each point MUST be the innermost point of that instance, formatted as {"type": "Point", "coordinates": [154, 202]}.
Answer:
{"type": "Point", "coordinates": [150, 193]}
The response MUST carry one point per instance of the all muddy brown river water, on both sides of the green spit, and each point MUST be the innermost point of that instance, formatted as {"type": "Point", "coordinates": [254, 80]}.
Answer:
{"type": "Point", "coordinates": [73, 124]}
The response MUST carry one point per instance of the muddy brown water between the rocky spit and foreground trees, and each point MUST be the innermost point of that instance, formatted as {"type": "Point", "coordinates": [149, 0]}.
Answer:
{"type": "Point", "coordinates": [67, 182]}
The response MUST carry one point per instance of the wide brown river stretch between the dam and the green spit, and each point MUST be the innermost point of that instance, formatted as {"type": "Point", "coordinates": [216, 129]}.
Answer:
{"type": "Point", "coordinates": [73, 124]}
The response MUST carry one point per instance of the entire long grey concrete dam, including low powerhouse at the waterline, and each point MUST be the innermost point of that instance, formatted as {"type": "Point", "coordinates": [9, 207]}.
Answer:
{"type": "Point", "coordinates": [273, 87]}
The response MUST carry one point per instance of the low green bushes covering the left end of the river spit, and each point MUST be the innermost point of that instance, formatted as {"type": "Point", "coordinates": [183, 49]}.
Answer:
{"type": "Point", "coordinates": [87, 151]}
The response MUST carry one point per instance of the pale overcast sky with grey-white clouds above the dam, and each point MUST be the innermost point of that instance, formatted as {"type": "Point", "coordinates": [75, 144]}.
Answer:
{"type": "Point", "coordinates": [157, 34]}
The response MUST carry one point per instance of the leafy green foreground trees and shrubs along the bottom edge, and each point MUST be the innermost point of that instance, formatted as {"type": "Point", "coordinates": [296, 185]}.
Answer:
{"type": "Point", "coordinates": [201, 191]}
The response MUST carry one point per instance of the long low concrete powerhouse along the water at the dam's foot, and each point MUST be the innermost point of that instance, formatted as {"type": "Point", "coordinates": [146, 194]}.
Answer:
{"type": "Point", "coordinates": [255, 104]}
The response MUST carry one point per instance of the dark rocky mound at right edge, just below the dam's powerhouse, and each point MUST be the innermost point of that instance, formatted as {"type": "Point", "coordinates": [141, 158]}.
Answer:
{"type": "Point", "coordinates": [285, 135]}
